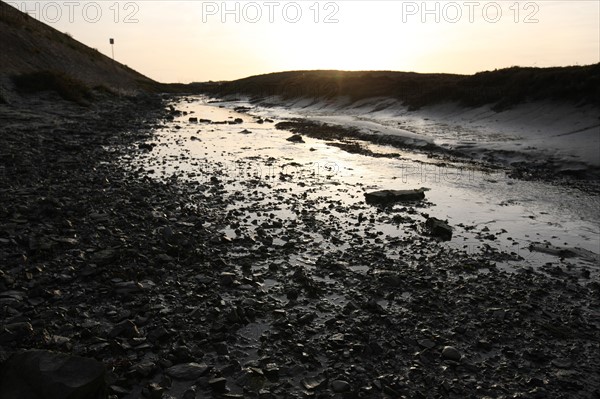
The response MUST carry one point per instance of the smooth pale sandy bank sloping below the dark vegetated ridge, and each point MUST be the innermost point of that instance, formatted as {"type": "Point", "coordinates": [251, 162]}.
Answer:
{"type": "Point", "coordinates": [564, 134]}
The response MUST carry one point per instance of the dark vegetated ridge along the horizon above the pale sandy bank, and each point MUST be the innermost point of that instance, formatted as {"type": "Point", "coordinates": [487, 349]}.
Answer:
{"type": "Point", "coordinates": [500, 88]}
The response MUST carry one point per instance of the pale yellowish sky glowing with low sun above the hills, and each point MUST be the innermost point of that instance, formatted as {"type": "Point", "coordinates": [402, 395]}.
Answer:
{"type": "Point", "coordinates": [196, 41]}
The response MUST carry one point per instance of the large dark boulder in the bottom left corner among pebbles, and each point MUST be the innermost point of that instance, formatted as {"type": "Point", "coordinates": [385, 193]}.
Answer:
{"type": "Point", "coordinates": [50, 375]}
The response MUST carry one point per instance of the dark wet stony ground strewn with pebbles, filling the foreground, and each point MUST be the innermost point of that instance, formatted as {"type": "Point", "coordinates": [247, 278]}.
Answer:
{"type": "Point", "coordinates": [199, 283]}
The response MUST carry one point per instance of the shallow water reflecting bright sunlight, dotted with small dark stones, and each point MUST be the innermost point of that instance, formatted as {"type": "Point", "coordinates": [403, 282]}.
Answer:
{"type": "Point", "coordinates": [269, 179]}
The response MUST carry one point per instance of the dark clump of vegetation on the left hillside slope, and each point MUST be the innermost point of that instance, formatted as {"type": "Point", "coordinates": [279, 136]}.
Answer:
{"type": "Point", "coordinates": [67, 87]}
